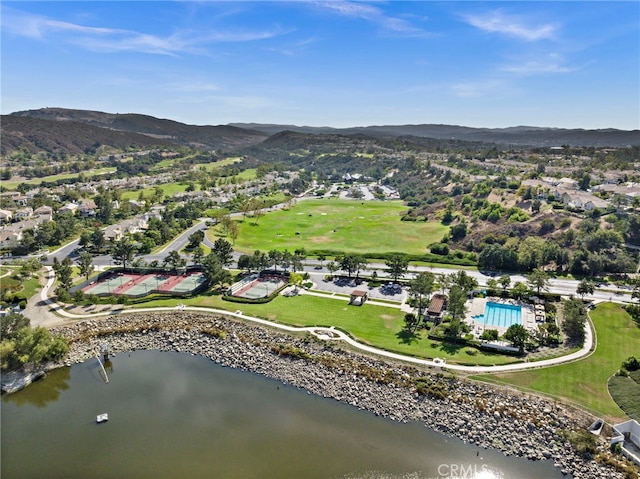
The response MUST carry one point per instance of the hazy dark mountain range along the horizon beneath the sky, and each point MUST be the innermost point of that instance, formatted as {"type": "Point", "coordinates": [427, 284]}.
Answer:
{"type": "Point", "coordinates": [75, 131]}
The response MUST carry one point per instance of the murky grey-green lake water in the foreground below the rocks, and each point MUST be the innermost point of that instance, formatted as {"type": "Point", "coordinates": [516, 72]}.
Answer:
{"type": "Point", "coordinates": [176, 415]}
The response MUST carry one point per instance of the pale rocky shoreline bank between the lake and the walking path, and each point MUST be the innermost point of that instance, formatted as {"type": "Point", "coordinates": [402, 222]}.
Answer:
{"type": "Point", "coordinates": [476, 413]}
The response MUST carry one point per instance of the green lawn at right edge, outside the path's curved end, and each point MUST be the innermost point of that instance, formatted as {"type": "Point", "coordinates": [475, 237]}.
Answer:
{"type": "Point", "coordinates": [584, 382]}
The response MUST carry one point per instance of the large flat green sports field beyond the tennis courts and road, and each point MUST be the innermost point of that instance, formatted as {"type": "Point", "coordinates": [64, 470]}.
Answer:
{"type": "Point", "coordinates": [368, 228]}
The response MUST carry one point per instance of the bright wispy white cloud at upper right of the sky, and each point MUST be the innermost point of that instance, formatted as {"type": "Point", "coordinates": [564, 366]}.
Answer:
{"type": "Point", "coordinates": [498, 22]}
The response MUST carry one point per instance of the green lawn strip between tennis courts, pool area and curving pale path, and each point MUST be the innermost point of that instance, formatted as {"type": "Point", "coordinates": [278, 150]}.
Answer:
{"type": "Point", "coordinates": [378, 326]}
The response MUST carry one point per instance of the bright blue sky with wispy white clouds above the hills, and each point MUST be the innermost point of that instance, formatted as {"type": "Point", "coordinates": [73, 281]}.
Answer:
{"type": "Point", "coordinates": [329, 63]}
